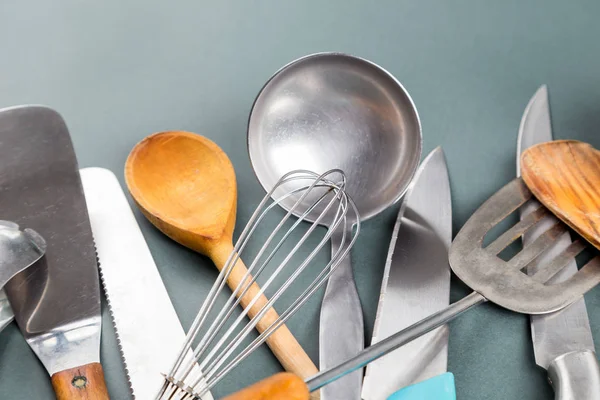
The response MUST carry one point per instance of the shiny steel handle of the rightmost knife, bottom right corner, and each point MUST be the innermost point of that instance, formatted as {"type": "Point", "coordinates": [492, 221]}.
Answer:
{"type": "Point", "coordinates": [576, 376]}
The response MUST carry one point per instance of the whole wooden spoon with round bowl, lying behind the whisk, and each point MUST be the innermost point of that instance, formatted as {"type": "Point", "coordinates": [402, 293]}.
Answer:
{"type": "Point", "coordinates": [185, 185]}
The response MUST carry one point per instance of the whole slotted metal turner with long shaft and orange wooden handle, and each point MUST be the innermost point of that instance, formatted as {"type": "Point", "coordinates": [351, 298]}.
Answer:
{"type": "Point", "coordinates": [491, 277]}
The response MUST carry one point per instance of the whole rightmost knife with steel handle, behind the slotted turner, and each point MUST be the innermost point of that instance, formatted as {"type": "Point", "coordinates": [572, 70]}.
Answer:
{"type": "Point", "coordinates": [562, 341]}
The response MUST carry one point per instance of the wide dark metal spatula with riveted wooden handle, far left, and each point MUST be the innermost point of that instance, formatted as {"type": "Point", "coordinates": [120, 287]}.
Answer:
{"type": "Point", "coordinates": [56, 302]}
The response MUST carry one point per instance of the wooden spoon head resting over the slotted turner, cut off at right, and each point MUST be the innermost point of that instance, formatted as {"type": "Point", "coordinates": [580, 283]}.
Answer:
{"type": "Point", "coordinates": [565, 176]}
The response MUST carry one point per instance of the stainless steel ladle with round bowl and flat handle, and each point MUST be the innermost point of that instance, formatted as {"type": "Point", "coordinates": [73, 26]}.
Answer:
{"type": "Point", "coordinates": [327, 111]}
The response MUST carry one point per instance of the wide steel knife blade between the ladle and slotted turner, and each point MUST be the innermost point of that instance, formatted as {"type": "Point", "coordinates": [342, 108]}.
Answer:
{"type": "Point", "coordinates": [416, 283]}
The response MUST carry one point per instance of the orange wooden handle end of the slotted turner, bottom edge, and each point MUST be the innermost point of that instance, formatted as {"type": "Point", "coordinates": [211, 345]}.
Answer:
{"type": "Point", "coordinates": [282, 386]}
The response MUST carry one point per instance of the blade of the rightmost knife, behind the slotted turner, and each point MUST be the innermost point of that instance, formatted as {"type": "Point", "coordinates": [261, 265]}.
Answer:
{"type": "Point", "coordinates": [567, 330]}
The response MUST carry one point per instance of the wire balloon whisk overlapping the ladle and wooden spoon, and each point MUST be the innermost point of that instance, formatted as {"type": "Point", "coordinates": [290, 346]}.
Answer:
{"type": "Point", "coordinates": [219, 343]}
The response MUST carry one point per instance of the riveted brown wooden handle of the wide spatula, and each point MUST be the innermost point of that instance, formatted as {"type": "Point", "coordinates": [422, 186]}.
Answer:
{"type": "Point", "coordinates": [80, 383]}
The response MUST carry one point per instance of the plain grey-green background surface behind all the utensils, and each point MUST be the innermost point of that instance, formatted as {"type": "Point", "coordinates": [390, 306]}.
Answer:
{"type": "Point", "coordinates": [120, 70]}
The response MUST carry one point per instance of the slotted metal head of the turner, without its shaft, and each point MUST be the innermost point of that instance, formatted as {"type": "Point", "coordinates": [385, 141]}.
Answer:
{"type": "Point", "coordinates": [504, 281]}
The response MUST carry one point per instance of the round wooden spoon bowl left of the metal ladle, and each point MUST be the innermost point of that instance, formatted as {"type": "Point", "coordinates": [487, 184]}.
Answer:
{"type": "Point", "coordinates": [185, 185]}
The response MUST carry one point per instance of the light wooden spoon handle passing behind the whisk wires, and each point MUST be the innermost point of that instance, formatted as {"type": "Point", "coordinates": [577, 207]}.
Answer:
{"type": "Point", "coordinates": [283, 344]}
